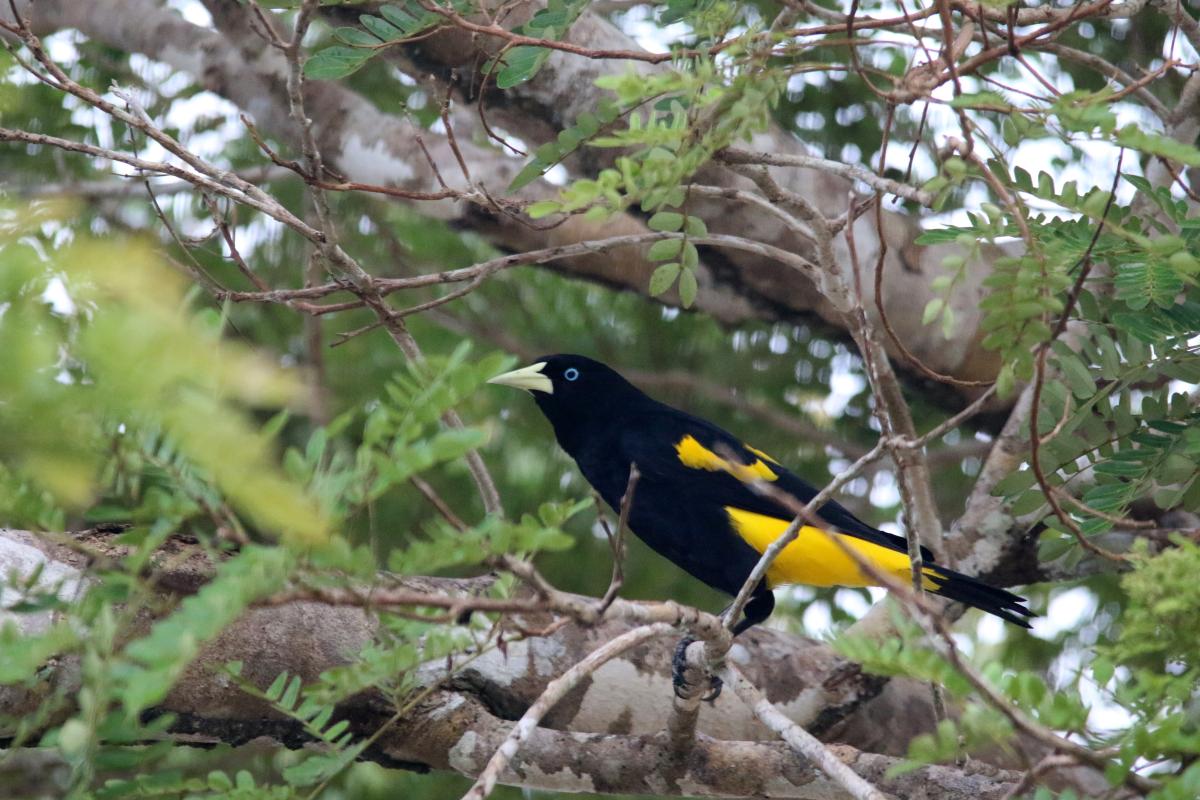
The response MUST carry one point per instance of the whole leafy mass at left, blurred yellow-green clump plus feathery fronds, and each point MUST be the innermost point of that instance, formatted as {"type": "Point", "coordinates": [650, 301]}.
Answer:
{"type": "Point", "coordinates": [178, 456]}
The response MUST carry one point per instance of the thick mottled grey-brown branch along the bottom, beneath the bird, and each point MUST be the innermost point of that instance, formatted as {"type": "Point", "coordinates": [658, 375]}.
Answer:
{"type": "Point", "coordinates": [615, 721]}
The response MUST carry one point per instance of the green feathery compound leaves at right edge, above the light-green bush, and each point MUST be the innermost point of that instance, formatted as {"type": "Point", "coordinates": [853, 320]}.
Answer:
{"type": "Point", "coordinates": [1115, 429]}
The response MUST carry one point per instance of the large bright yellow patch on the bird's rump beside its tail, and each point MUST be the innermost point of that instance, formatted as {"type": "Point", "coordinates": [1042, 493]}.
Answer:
{"type": "Point", "coordinates": [814, 558]}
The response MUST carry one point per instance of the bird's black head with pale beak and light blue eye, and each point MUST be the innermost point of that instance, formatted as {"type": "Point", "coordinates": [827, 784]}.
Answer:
{"type": "Point", "coordinates": [573, 389]}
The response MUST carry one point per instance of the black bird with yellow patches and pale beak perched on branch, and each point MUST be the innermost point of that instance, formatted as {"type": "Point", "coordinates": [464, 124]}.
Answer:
{"type": "Point", "coordinates": [700, 500]}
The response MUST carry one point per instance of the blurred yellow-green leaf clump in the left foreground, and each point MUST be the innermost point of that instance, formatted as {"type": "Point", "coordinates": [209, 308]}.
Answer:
{"type": "Point", "coordinates": [67, 377]}
